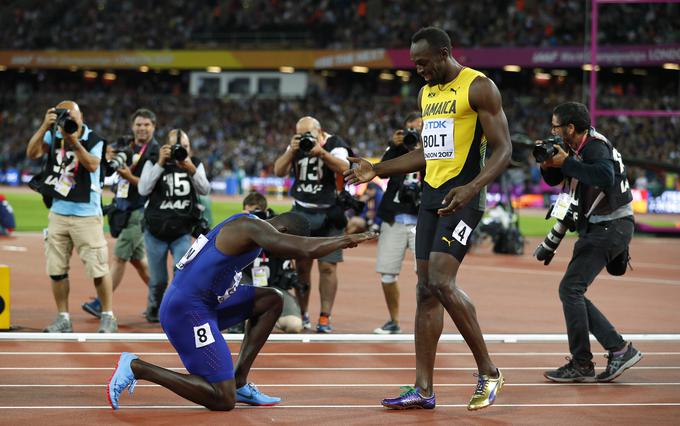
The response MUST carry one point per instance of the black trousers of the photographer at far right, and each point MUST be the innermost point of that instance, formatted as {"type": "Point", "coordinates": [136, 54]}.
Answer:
{"type": "Point", "coordinates": [600, 244]}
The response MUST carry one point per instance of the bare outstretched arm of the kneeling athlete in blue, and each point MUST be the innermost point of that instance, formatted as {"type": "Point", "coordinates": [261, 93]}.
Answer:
{"type": "Point", "coordinates": [247, 234]}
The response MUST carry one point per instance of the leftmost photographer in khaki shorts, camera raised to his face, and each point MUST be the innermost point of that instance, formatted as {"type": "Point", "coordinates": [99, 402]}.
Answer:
{"type": "Point", "coordinates": [72, 182]}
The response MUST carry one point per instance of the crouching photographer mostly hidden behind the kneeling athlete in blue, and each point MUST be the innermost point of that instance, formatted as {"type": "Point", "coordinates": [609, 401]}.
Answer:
{"type": "Point", "coordinates": [276, 272]}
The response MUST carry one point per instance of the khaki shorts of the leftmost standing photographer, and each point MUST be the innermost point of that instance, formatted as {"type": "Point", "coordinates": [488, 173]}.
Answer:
{"type": "Point", "coordinates": [86, 234]}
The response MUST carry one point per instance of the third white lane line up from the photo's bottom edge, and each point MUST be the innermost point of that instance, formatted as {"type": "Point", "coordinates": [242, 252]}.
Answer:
{"type": "Point", "coordinates": [327, 369]}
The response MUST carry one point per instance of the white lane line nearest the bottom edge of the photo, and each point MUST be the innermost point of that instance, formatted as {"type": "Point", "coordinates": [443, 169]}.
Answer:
{"type": "Point", "coordinates": [316, 407]}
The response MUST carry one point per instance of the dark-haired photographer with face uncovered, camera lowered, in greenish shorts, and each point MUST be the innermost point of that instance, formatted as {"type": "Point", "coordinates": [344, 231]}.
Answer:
{"type": "Point", "coordinates": [127, 209]}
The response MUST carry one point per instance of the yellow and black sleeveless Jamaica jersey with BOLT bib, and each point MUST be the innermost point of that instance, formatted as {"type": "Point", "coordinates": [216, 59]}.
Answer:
{"type": "Point", "coordinates": [453, 140]}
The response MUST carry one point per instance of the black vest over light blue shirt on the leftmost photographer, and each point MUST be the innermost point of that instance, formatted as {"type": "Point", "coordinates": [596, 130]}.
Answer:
{"type": "Point", "coordinates": [62, 164]}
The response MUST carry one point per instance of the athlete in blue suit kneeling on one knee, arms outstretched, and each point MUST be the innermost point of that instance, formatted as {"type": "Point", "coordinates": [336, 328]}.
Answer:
{"type": "Point", "coordinates": [205, 297]}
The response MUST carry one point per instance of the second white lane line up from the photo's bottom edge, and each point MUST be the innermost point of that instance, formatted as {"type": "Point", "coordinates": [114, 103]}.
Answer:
{"type": "Point", "coordinates": [361, 385]}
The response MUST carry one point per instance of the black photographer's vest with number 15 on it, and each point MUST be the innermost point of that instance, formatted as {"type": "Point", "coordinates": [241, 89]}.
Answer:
{"type": "Point", "coordinates": [172, 210]}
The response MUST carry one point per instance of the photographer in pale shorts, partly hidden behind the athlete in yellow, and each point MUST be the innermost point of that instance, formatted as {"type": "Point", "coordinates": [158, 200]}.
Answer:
{"type": "Point", "coordinates": [399, 214]}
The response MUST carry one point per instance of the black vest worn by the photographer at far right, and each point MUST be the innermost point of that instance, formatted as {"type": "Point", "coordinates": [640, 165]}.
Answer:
{"type": "Point", "coordinates": [615, 196]}
